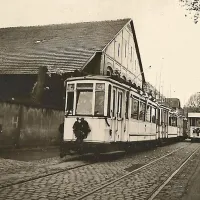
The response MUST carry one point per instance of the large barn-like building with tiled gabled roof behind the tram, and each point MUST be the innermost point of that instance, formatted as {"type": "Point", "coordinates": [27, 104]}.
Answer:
{"type": "Point", "coordinates": [36, 58]}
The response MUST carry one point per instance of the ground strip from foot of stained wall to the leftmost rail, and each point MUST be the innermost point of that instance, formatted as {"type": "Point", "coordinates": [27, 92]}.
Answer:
{"type": "Point", "coordinates": [27, 164]}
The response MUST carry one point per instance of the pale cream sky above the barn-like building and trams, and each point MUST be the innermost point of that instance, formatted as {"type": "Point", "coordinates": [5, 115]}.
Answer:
{"type": "Point", "coordinates": [168, 41]}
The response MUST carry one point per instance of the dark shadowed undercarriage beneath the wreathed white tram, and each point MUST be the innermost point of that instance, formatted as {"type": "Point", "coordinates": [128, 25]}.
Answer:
{"type": "Point", "coordinates": [81, 147]}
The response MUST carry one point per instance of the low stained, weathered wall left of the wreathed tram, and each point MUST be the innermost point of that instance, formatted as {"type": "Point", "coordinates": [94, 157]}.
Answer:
{"type": "Point", "coordinates": [28, 126]}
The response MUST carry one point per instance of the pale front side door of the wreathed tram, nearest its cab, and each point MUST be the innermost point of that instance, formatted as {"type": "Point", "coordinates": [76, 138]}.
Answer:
{"type": "Point", "coordinates": [118, 102]}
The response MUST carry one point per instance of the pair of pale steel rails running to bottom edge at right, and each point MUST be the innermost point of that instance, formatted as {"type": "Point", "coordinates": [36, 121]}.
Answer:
{"type": "Point", "coordinates": [158, 189]}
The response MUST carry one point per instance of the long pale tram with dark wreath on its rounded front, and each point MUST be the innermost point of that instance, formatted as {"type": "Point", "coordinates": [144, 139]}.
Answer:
{"type": "Point", "coordinates": [104, 115]}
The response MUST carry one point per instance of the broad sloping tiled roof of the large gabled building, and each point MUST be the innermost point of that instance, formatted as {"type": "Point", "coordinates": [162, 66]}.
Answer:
{"type": "Point", "coordinates": [65, 46]}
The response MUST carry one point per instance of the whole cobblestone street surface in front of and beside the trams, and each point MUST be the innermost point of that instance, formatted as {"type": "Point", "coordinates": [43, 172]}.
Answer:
{"type": "Point", "coordinates": [58, 179]}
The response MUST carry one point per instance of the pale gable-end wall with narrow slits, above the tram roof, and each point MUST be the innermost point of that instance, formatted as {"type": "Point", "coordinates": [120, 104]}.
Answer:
{"type": "Point", "coordinates": [121, 55]}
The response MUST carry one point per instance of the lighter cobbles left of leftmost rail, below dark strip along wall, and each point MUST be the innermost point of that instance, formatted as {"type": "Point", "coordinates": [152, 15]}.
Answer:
{"type": "Point", "coordinates": [13, 171]}
